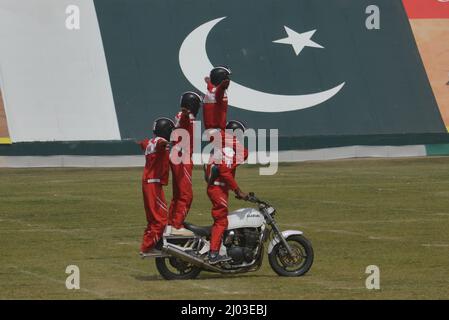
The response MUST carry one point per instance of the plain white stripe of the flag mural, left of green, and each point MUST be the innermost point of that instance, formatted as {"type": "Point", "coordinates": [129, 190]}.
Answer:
{"type": "Point", "coordinates": [55, 81]}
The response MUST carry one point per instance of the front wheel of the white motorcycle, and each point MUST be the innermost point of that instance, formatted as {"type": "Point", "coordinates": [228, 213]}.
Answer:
{"type": "Point", "coordinates": [287, 266]}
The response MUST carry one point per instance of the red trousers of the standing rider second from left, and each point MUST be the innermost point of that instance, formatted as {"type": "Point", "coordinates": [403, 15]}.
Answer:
{"type": "Point", "coordinates": [182, 193]}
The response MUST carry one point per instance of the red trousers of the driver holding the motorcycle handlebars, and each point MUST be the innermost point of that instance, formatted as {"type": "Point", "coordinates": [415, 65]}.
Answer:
{"type": "Point", "coordinates": [218, 195]}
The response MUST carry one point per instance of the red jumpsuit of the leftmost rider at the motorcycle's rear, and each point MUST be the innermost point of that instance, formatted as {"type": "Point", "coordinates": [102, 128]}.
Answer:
{"type": "Point", "coordinates": [155, 175]}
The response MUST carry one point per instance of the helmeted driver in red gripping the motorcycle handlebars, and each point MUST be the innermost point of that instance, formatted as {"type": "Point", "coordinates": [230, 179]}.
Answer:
{"type": "Point", "coordinates": [220, 175]}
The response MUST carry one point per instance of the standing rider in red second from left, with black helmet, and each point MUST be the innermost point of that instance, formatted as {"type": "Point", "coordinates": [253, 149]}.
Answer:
{"type": "Point", "coordinates": [182, 172]}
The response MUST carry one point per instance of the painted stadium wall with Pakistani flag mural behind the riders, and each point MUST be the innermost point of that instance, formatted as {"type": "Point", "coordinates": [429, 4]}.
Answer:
{"type": "Point", "coordinates": [90, 92]}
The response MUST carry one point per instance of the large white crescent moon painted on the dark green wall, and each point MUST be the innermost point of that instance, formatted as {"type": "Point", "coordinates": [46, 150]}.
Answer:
{"type": "Point", "coordinates": [195, 64]}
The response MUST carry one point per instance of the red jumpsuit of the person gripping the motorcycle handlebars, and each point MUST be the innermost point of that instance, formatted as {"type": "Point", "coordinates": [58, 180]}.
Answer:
{"type": "Point", "coordinates": [218, 191]}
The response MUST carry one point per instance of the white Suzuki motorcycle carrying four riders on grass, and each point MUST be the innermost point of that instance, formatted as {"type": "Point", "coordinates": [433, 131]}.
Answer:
{"type": "Point", "coordinates": [290, 254]}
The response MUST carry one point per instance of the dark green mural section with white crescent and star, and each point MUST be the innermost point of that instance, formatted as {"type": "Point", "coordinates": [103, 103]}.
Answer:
{"type": "Point", "coordinates": [307, 67]}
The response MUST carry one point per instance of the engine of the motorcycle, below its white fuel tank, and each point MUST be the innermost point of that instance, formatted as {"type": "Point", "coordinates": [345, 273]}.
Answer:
{"type": "Point", "coordinates": [241, 244]}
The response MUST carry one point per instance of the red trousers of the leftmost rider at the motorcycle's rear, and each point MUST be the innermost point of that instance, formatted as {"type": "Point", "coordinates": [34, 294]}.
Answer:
{"type": "Point", "coordinates": [156, 212]}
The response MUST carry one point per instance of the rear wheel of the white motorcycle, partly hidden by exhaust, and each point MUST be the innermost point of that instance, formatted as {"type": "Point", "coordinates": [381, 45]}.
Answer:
{"type": "Point", "coordinates": [176, 269]}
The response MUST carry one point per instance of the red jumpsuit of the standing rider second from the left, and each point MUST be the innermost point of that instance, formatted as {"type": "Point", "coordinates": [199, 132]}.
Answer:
{"type": "Point", "coordinates": [182, 175]}
